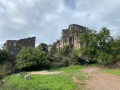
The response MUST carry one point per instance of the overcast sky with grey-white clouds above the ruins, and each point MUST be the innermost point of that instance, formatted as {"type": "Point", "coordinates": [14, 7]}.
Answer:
{"type": "Point", "coordinates": [45, 19]}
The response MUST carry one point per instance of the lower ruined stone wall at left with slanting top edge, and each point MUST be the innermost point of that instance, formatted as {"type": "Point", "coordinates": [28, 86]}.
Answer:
{"type": "Point", "coordinates": [14, 46]}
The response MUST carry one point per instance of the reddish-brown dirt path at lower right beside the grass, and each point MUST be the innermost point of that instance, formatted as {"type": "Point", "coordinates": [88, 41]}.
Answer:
{"type": "Point", "coordinates": [101, 81]}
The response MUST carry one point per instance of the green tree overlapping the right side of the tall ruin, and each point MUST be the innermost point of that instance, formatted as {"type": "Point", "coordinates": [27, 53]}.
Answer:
{"type": "Point", "coordinates": [88, 44]}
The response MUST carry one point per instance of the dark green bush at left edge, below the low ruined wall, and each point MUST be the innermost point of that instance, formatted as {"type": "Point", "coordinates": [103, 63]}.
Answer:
{"type": "Point", "coordinates": [4, 56]}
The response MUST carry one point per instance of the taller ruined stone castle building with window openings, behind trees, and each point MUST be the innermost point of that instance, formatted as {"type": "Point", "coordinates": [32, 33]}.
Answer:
{"type": "Point", "coordinates": [71, 36]}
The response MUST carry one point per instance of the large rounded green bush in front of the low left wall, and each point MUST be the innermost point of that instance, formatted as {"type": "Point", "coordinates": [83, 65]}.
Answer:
{"type": "Point", "coordinates": [29, 57]}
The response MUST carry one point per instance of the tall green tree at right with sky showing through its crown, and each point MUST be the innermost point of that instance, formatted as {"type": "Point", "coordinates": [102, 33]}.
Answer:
{"type": "Point", "coordinates": [106, 44]}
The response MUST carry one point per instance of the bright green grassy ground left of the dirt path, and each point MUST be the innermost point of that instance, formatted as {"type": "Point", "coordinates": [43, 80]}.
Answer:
{"type": "Point", "coordinates": [62, 81]}
